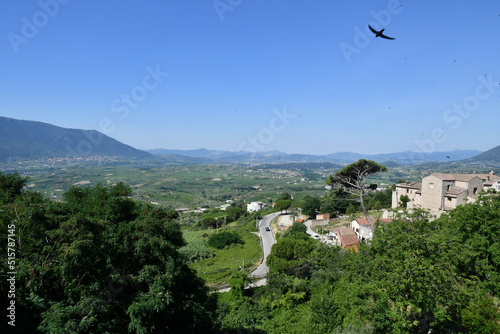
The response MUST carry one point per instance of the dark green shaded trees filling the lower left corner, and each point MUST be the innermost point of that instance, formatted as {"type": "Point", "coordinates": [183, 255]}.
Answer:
{"type": "Point", "coordinates": [98, 262]}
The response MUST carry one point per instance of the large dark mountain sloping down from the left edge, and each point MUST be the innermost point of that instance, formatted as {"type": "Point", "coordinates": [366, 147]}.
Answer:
{"type": "Point", "coordinates": [32, 140]}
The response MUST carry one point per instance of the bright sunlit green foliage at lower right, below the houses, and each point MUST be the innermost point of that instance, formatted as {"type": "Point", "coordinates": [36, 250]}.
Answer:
{"type": "Point", "coordinates": [418, 275]}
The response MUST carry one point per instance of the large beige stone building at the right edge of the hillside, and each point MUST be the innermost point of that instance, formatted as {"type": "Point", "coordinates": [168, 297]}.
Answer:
{"type": "Point", "coordinates": [441, 192]}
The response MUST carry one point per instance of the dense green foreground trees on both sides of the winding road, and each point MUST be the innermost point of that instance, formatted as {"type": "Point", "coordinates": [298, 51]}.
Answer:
{"type": "Point", "coordinates": [99, 262]}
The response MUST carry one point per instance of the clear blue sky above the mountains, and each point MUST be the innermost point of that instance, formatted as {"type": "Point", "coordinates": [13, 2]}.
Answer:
{"type": "Point", "coordinates": [293, 76]}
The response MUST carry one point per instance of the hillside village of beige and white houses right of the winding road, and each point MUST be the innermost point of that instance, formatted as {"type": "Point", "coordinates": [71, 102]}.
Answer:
{"type": "Point", "coordinates": [438, 193]}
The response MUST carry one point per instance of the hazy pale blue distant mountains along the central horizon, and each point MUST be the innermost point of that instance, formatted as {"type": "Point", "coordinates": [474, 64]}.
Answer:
{"type": "Point", "coordinates": [392, 159]}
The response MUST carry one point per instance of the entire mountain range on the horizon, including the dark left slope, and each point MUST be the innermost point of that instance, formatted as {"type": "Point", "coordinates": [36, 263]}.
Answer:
{"type": "Point", "coordinates": [21, 139]}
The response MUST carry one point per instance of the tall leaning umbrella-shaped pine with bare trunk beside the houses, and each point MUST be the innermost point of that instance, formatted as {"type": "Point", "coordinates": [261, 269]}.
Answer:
{"type": "Point", "coordinates": [354, 178]}
